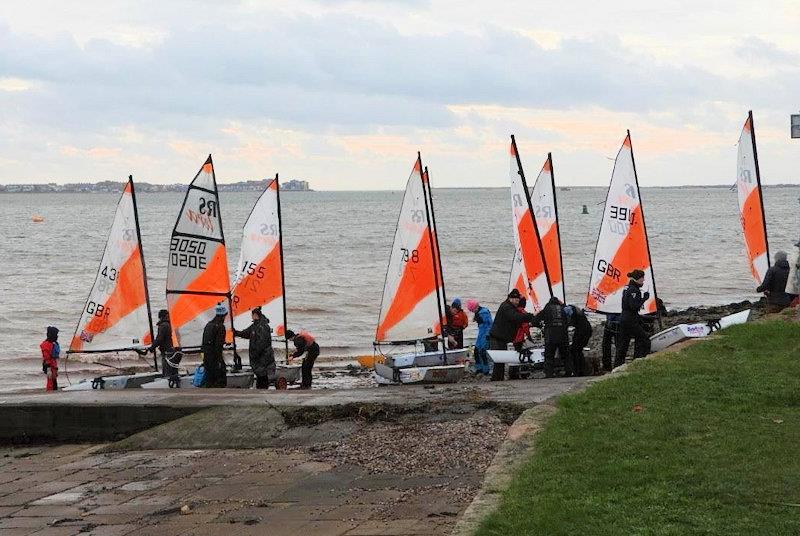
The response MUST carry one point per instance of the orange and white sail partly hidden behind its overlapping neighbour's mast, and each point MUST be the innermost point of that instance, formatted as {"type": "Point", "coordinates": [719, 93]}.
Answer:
{"type": "Point", "coordinates": [545, 210]}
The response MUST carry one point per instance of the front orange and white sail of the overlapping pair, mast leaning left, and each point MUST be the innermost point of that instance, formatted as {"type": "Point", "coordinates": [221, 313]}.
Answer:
{"type": "Point", "coordinates": [529, 271]}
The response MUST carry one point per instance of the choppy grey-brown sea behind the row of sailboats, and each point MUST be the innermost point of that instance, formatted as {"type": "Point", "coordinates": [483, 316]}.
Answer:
{"type": "Point", "coordinates": [337, 247]}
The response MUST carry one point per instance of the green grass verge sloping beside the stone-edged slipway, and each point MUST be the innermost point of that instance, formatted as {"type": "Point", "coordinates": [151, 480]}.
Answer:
{"type": "Point", "coordinates": [703, 441]}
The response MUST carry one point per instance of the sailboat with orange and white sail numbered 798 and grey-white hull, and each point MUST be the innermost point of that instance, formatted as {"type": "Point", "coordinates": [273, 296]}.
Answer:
{"type": "Point", "coordinates": [413, 304]}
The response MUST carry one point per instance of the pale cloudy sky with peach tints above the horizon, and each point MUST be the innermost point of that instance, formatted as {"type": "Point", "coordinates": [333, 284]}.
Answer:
{"type": "Point", "coordinates": [343, 93]}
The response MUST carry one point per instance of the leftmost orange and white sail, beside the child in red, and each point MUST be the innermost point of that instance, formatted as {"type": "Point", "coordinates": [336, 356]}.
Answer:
{"type": "Point", "coordinates": [117, 312]}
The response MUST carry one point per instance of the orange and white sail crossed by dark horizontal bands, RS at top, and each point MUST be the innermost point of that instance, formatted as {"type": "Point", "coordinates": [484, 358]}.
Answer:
{"type": "Point", "coordinates": [197, 271]}
